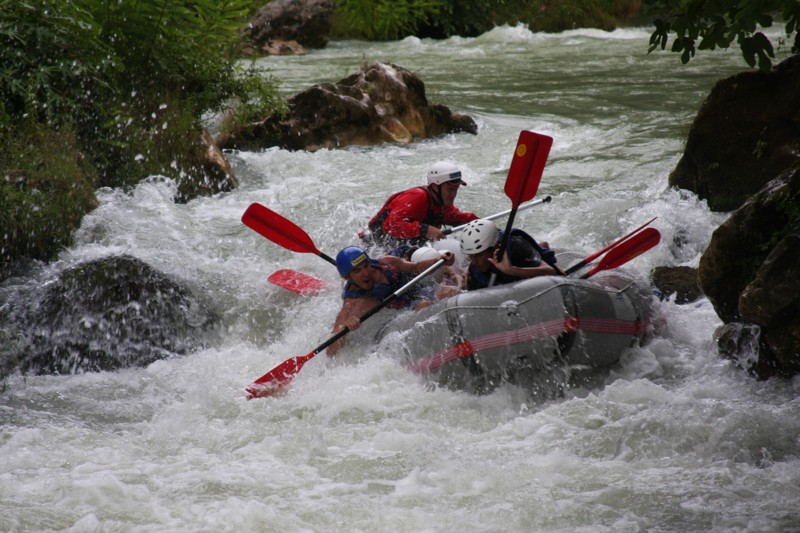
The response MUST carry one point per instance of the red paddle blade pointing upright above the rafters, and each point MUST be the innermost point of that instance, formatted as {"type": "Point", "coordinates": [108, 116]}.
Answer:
{"type": "Point", "coordinates": [527, 166]}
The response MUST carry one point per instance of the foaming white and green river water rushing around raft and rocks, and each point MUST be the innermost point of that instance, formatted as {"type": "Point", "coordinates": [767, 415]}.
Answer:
{"type": "Point", "coordinates": [675, 439]}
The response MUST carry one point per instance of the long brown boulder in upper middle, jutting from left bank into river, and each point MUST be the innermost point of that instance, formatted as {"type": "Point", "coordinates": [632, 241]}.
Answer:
{"type": "Point", "coordinates": [382, 103]}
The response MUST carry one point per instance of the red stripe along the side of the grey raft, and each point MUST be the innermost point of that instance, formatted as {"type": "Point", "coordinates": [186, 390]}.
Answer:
{"type": "Point", "coordinates": [517, 336]}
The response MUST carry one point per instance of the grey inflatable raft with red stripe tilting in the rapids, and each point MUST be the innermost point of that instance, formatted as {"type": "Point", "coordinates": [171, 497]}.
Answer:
{"type": "Point", "coordinates": [533, 333]}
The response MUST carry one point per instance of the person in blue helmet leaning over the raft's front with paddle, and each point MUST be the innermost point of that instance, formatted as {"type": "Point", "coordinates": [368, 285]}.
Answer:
{"type": "Point", "coordinates": [370, 281]}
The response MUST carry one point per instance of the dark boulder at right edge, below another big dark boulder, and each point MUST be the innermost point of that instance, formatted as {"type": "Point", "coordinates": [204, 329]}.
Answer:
{"type": "Point", "coordinates": [749, 271]}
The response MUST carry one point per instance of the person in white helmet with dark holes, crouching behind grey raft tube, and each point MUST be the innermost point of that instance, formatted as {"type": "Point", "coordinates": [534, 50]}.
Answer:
{"type": "Point", "coordinates": [481, 239]}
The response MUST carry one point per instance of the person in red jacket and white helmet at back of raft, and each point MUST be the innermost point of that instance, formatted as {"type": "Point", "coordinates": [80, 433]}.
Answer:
{"type": "Point", "coordinates": [415, 216]}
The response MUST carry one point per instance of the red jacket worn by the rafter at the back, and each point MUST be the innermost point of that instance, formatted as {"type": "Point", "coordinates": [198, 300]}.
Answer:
{"type": "Point", "coordinates": [406, 215]}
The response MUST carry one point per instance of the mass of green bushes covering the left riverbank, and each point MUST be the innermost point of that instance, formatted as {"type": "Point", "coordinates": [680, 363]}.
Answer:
{"type": "Point", "coordinates": [105, 93]}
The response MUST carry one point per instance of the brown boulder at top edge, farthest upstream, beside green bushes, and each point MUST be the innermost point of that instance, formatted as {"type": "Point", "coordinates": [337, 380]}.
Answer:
{"type": "Point", "coordinates": [289, 26]}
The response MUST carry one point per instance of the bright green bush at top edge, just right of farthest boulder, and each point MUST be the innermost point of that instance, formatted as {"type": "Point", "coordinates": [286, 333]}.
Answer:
{"type": "Point", "coordinates": [380, 20]}
